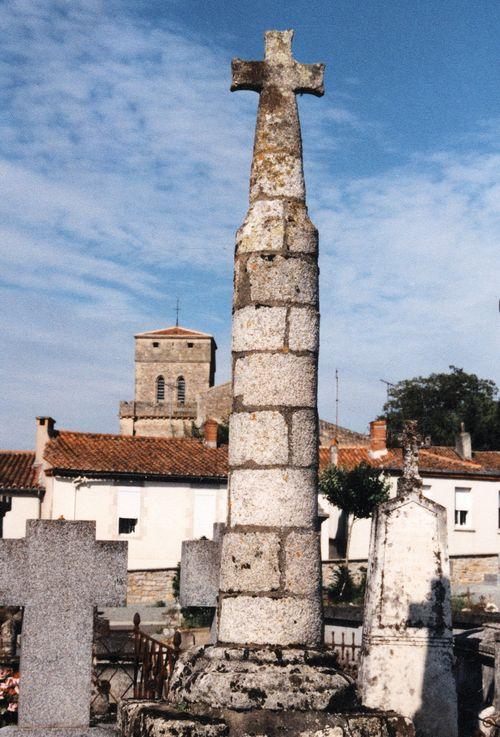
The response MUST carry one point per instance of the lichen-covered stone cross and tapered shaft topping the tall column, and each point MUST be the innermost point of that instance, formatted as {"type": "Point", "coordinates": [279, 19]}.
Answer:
{"type": "Point", "coordinates": [277, 159]}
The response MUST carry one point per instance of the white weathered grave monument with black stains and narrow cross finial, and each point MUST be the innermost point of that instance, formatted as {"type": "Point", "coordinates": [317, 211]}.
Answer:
{"type": "Point", "coordinates": [407, 652]}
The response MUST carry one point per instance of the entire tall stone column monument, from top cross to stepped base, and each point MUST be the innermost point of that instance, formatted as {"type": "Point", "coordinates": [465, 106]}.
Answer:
{"type": "Point", "coordinates": [268, 672]}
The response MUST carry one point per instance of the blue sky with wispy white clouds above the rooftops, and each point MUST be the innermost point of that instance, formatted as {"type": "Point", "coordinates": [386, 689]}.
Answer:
{"type": "Point", "coordinates": [124, 174]}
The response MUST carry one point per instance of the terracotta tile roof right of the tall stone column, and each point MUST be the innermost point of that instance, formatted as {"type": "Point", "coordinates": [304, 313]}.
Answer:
{"type": "Point", "coordinates": [435, 459]}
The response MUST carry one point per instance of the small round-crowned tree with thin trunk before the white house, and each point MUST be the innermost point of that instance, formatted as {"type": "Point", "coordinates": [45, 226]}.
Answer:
{"type": "Point", "coordinates": [357, 492]}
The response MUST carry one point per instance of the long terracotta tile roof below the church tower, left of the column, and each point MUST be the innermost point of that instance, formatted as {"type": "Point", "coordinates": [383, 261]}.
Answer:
{"type": "Point", "coordinates": [121, 454]}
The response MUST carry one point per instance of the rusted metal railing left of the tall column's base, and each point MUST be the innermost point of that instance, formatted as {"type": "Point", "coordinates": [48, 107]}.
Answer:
{"type": "Point", "coordinates": [153, 663]}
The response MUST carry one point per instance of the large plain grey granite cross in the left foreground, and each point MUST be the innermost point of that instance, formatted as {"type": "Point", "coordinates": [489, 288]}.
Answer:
{"type": "Point", "coordinates": [59, 573]}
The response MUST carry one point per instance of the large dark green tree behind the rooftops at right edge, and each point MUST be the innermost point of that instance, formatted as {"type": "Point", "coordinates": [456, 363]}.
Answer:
{"type": "Point", "coordinates": [441, 402]}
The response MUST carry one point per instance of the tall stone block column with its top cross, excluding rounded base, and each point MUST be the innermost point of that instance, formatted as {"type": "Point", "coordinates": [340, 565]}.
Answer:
{"type": "Point", "coordinates": [270, 568]}
